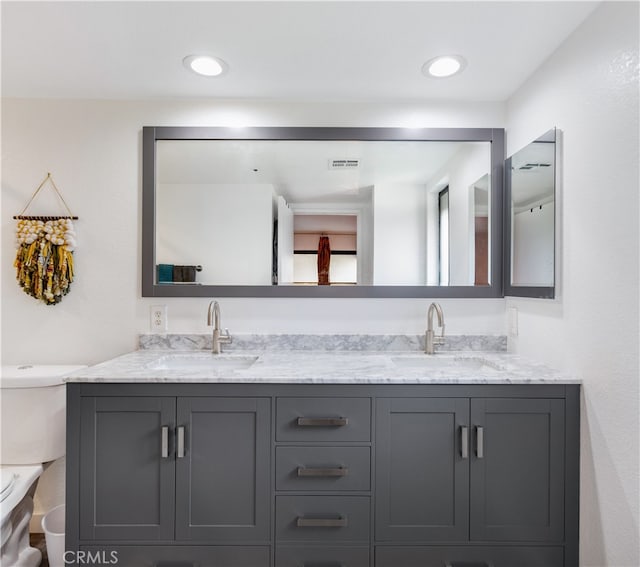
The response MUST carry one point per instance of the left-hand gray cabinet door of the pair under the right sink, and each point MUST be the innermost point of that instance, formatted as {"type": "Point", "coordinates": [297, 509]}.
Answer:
{"type": "Point", "coordinates": [422, 469]}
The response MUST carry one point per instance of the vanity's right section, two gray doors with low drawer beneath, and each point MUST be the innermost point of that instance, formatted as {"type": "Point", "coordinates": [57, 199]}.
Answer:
{"type": "Point", "coordinates": [472, 471]}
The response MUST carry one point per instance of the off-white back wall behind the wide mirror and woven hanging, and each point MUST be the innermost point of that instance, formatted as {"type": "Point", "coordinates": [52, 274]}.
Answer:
{"type": "Point", "coordinates": [93, 149]}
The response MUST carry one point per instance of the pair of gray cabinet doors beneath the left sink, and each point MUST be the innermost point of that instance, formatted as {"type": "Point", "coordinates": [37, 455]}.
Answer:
{"type": "Point", "coordinates": [175, 469]}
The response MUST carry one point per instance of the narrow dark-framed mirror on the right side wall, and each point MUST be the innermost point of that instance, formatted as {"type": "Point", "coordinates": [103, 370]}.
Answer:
{"type": "Point", "coordinates": [530, 223]}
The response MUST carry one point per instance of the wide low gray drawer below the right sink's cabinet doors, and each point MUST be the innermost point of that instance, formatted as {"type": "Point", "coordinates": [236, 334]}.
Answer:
{"type": "Point", "coordinates": [470, 556]}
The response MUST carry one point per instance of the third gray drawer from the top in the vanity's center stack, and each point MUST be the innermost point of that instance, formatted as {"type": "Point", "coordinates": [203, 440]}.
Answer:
{"type": "Point", "coordinates": [322, 518]}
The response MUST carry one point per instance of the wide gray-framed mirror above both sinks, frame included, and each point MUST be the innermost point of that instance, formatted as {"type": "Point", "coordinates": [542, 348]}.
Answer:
{"type": "Point", "coordinates": [322, 212]}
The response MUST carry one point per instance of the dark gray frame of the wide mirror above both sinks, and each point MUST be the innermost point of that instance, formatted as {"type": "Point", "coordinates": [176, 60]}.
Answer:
{"type": "Point", "coordinates": [151, 134]}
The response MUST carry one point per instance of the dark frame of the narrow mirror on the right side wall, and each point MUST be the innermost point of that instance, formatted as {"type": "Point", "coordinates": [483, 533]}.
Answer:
{"type": "Point", "coordinates": [511, 290]}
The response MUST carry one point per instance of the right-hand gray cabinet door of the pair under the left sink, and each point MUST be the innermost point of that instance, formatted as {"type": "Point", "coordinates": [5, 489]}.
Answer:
{"type": "Point", "coordinates": [223, 472]}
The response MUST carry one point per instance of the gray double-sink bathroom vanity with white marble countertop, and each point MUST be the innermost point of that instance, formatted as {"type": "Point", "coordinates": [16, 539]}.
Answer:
{"type": "Point", "coordinates": [352, 459]}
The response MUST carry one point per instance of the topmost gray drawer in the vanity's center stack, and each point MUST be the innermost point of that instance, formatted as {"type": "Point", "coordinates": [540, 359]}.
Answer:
{"type": "Point", "coordinates": [323, 419]}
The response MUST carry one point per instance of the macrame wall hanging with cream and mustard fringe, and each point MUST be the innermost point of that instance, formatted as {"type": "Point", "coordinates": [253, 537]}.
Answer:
{"type": "Point", "coordinates": [44, 260]}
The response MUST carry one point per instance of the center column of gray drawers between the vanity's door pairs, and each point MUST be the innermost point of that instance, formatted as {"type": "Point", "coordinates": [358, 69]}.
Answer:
{"type": "Point", "coordinates": [323, 481]}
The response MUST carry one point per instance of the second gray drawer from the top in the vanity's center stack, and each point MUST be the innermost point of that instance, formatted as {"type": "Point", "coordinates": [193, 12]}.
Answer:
{"type": "Point", "coordinates": [323, 468]}
